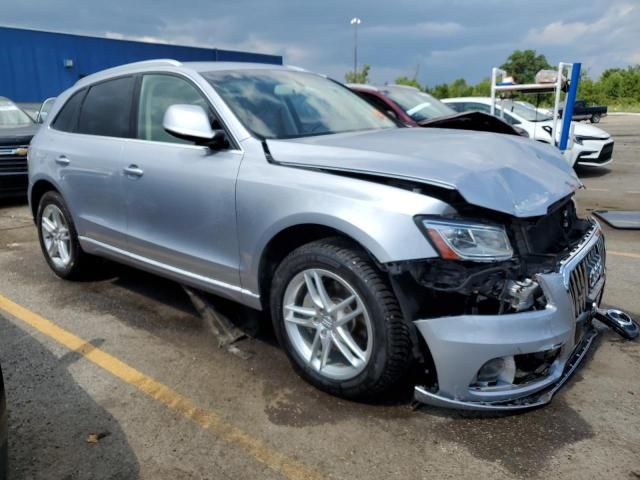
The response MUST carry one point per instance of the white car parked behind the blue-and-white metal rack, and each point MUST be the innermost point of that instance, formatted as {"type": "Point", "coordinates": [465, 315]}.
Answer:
{"type": "Point", "coordinates": [592, 146]}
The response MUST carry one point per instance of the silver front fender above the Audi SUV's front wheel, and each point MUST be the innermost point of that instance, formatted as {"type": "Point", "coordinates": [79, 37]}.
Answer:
{"type": "Point", "coordinates": [272, 198]}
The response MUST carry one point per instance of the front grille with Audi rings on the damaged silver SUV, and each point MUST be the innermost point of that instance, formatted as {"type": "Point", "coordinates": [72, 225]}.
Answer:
{"type": "Point", "coordinates": [584, 278]}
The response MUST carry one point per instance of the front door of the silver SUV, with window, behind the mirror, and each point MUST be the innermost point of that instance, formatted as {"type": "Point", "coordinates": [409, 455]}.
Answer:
{"type": "Point", "coordinates": [181, 199]}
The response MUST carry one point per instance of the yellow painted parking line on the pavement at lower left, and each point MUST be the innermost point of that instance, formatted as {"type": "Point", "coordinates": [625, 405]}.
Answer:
{"type": "Point", "coordinates": [279, 462]}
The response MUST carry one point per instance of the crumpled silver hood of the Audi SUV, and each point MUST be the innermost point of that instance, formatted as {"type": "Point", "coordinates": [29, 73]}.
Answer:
{"type": "Point", "coordinates": [505, 173]}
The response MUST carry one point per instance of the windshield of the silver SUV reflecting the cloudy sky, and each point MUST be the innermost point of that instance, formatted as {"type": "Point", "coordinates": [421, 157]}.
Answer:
{"type": "Point", "coordinates": [290, 104]}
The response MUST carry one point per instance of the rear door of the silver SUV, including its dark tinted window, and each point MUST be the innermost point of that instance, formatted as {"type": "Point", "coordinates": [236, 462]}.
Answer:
{"type": "Point", "coordinates": [92, 130]}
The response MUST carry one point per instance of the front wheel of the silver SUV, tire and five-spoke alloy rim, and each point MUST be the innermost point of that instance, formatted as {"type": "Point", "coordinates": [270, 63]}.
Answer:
{"type": "Point", "coordinates": [379, 331]}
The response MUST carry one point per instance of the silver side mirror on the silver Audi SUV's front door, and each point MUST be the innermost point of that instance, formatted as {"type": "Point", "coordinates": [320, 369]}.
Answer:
{"type": "Point", "coordinates": [191, 122]}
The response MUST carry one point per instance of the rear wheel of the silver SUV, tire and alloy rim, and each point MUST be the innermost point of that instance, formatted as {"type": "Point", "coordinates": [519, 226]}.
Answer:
{"type": "Point", "coordinates": [76, 263]}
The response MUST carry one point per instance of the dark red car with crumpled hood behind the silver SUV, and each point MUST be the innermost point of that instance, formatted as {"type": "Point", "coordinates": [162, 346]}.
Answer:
{"type": "Point", "coordinates": [414, 108]}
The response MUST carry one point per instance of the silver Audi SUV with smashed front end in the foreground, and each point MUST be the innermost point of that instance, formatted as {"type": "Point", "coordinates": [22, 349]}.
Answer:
{"type": "Point", "coordinates": [452, 259]}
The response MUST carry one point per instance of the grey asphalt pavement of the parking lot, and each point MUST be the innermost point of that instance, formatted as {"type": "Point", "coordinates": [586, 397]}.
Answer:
{"type": "Point", "coordinates": [119, 378]}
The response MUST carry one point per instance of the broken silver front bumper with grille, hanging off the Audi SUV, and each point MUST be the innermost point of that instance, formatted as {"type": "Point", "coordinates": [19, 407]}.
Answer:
{"type": "Point", "coordinates": [461, 345]}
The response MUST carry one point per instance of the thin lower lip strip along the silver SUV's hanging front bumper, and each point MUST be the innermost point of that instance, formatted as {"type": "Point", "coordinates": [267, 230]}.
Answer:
{"type": "Point", "coordinates": [538, 399]}
